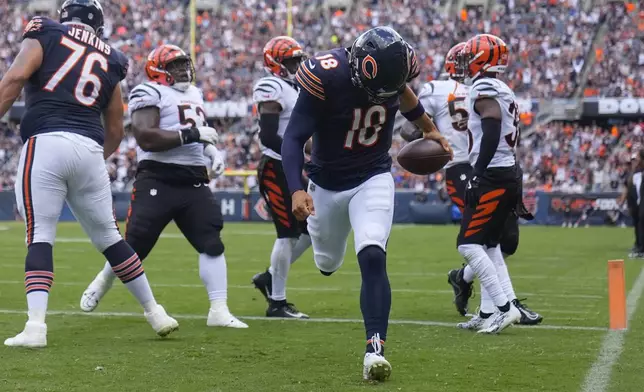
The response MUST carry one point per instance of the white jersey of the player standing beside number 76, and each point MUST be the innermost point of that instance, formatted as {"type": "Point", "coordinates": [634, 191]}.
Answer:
{"type": "Point", "coordinates": [177, 110]}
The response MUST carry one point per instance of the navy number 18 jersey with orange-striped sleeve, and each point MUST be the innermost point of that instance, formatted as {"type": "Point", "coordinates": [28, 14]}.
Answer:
{"type": "Point", "coordinates": [352, 136]}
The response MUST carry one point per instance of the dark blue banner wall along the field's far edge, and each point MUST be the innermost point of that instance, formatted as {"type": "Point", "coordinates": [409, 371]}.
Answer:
{"type": "Point", "coordinates": [410, 207]}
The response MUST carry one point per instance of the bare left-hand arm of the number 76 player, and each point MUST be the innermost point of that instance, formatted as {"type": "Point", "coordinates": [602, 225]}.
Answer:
{"type": "Point", "coordinates": [26, 63]}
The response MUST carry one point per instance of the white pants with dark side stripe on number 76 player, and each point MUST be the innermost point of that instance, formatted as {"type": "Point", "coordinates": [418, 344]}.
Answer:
{"type": "Point", "coordinates": [60, 166]}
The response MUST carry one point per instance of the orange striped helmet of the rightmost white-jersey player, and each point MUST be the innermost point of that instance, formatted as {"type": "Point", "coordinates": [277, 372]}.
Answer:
{"type": "Point", "coordinates": [484, 53]}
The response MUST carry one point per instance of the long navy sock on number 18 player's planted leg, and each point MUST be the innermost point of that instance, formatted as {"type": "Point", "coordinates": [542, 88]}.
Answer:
{"type": "Point", "coordinates": [375, 294]}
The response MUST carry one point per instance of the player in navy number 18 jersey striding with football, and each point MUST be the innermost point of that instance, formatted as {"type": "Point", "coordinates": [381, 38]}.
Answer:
{"type": "Point", "coordinates": [347, 102]}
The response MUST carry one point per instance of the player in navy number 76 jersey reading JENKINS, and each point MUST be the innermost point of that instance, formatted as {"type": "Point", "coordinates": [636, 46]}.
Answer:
{"type": "Point", "coordinates": [71, 78]}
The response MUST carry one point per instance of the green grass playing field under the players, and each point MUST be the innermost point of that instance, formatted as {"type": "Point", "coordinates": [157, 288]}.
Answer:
{"type": "Point", "coordinates": [561, 271]}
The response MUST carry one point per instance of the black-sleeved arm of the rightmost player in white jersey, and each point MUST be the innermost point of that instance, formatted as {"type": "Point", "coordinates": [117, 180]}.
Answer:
{"type": "Point", "coordinates": [490, 112]}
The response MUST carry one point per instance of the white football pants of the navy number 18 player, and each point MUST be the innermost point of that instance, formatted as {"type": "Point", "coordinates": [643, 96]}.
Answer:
{"type": "Point", "coordinates": [367, 208]}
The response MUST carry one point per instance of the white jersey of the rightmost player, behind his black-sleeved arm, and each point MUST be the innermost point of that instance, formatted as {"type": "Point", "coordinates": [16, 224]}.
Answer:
{"type": "Point", "coordinates": [495, 89]}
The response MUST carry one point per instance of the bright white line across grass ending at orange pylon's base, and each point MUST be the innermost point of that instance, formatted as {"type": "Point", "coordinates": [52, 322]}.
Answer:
{"type": "Point", "coordinates": [311, 320]}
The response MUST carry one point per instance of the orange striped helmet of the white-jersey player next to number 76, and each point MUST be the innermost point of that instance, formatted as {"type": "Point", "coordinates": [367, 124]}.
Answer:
{"type": "Point", "coordinates": [171, 66]}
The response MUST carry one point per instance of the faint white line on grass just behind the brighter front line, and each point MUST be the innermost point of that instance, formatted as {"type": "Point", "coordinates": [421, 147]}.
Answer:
{"type": "Point", "coordinates": [317, 289]}
